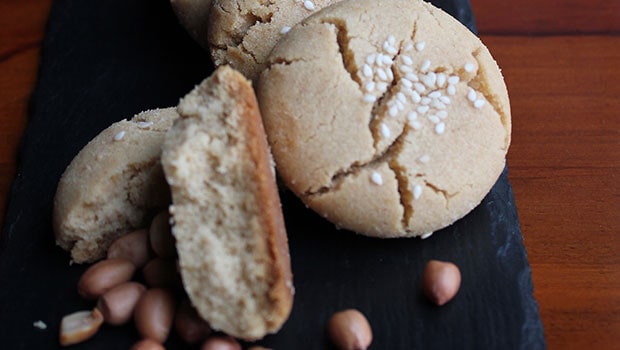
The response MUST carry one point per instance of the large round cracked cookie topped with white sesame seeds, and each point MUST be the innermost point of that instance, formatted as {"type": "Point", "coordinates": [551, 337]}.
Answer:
{"type": "Point", "coordinates": [389, 118]}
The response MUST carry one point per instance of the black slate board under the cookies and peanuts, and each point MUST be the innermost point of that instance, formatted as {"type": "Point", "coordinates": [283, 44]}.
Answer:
{"type": "Point", "coordinates": [103, 61]}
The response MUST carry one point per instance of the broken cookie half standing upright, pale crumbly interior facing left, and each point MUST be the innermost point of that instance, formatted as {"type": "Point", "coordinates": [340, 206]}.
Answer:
{"type": "Point", "coordinates": [228, 224]}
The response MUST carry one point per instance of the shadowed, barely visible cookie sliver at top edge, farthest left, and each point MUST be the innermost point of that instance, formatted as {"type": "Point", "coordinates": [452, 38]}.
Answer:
{"type": "Point", "coordinates": [193, 16]}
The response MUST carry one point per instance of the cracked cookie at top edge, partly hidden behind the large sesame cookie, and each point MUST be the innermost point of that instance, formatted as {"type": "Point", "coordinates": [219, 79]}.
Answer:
{"type": "Point", "coordinates": [242, 33]}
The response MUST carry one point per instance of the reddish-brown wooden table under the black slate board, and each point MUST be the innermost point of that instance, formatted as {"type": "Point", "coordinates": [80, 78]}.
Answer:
{"type": "Point", "coordinates": [561, 61]}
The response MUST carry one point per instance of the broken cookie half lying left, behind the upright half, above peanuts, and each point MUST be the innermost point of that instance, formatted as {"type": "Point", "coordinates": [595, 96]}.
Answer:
{"type": "Point", "coordinates": [112, 186]}
